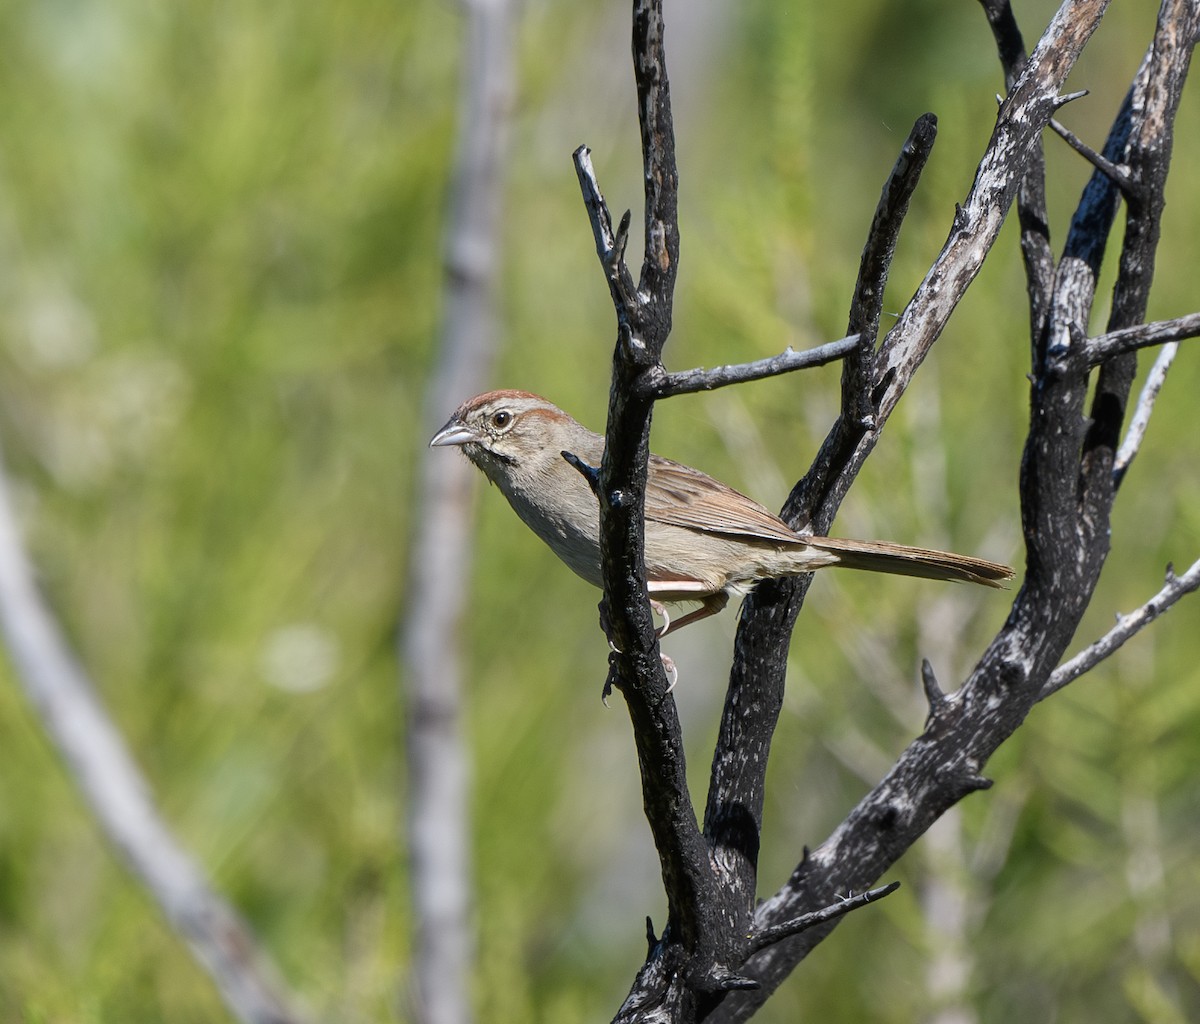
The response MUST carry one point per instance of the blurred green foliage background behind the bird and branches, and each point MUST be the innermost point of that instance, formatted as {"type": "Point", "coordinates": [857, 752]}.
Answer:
{"type": "Point", "coordinates": [220, 241]}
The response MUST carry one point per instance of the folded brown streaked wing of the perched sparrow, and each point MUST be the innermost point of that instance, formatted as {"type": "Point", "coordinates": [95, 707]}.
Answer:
{"type": "Point", "coordinates": [679, 495]}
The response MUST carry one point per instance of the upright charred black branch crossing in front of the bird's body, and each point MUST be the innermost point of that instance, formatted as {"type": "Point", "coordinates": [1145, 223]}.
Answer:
{"type": "Point", "coordinates": [644, 324]}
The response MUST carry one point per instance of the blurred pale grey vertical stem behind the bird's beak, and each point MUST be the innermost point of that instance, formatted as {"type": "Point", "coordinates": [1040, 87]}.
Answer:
{"type": "Point", "coordinates": [439, 804]}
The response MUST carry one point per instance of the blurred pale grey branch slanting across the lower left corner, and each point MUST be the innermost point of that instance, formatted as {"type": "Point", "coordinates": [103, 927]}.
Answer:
{"type": "Point", "coordinates": [119, 798]}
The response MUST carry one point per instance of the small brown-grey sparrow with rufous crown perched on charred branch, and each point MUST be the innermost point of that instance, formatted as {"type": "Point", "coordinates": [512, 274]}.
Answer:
{"type": "Point", "coordinates": [704, 541]}
